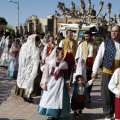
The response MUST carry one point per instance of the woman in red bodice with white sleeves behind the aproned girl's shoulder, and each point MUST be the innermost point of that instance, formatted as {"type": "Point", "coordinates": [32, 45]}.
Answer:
{"type": "Point", "coordinates": [48, 49]}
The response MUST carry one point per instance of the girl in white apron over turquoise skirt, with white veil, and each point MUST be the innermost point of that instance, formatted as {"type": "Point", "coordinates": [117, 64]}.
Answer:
{"type": "Point", "coordinates": [55, 100]}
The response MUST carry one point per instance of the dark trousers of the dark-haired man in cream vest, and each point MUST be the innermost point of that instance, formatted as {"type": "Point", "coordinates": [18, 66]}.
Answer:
{"type": "Point", "coordinates": [89, 72]}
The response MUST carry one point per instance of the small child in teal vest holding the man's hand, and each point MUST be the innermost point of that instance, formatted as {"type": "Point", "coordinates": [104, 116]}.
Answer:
{"type": "Point", "coordinates": [79, 95]}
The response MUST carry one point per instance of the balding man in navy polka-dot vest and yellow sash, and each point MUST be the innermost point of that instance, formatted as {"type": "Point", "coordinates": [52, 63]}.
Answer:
{"type": "Point", "coordinates": [109, 56]}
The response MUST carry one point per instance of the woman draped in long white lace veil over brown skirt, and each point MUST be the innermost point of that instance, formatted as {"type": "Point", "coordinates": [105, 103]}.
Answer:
{"type": "Point", "coordinates": [28, 66]}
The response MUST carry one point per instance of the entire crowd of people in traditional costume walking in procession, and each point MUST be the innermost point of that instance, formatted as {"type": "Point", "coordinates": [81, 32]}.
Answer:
{"type": "Point", "coordinates": [56, 68]}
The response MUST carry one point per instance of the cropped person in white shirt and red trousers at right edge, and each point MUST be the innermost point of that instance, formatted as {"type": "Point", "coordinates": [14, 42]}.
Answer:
{"type": "Point", "coordinates": [114, 86]}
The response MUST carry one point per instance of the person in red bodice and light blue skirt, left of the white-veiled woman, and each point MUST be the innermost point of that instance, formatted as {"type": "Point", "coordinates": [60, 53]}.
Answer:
{"type": "Point", "coordinates": [13, 59]}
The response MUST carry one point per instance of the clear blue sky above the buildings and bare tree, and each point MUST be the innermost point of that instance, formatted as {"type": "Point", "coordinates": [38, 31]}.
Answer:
{"type": "Point", "coordinates": [42, 8]}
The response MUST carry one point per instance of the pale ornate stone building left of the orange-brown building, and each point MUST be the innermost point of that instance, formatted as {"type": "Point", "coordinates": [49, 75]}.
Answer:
{"type": "Point", "coordinates": [36, 24]}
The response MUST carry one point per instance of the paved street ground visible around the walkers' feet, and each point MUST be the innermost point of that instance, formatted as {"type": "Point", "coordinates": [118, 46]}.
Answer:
{"type": "Point", "coordinates": [13, 107]}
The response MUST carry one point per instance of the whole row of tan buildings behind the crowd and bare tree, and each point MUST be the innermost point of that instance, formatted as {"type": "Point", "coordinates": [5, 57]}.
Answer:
{"type": "Point", "coordinates": [49, 24]}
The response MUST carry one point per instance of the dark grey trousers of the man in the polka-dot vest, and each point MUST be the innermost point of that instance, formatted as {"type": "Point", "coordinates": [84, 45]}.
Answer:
{"type": "Point", "coordinates": [108, 98]}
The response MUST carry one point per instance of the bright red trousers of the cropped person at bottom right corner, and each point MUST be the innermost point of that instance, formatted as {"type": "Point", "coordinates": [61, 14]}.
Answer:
{"type": "Point", "coordinates": [117, 108]}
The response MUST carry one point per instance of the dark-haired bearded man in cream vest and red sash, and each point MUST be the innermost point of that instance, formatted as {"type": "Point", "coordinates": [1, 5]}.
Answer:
{"type": "Point", "coordinates": [88, 51]}
